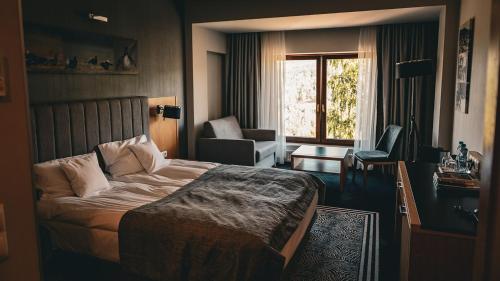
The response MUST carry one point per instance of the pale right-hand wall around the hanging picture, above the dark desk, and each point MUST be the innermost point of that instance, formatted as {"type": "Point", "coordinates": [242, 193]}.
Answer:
{"type": "Point", "coordinates": [469, 127]}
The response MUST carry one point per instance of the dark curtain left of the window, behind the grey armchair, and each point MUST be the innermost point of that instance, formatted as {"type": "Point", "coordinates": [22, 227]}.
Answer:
{"type": "Point", "coordinates": [243, 78]}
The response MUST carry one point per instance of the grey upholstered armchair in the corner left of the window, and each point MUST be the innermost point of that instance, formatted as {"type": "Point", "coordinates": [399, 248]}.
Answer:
{"type": "Point", "coordinates": [225, 142]}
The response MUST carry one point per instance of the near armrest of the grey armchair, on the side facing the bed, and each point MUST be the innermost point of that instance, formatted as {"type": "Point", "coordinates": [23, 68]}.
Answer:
{"type": "Point", "coordinates": [227, 151]}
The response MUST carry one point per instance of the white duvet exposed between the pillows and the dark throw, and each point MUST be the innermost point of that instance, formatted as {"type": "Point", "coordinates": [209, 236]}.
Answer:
{"type": "Point", "coordinates": [104, 210]}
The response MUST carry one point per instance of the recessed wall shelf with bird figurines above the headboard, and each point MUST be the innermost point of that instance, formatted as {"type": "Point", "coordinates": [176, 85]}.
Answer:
{"type": "Point", "coordinates": [50, 49]}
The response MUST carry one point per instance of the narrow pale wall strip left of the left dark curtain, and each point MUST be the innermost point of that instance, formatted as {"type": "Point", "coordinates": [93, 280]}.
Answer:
{"type": "Point", "coordinates": [203, 41]}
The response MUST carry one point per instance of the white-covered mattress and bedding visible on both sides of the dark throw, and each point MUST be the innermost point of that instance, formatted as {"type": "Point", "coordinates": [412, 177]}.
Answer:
{"type": "Point", "coordinates": [89, 226]}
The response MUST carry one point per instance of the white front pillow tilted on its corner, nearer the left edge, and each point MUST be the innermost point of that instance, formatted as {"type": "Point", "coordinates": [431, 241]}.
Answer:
{"type": "Point", "coordinates": [85, 175]}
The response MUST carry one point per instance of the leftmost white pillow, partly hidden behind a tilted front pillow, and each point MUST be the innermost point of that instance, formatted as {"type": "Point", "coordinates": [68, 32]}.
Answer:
{"type": "Point", "coordinates": [50, 178]}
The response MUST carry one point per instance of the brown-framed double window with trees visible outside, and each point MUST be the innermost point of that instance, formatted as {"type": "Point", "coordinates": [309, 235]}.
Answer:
{"type": "Point", "coordinates": [320, 98]}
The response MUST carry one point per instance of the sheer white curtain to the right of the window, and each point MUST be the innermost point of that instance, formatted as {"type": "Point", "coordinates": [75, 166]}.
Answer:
{"type": "Point", "coordinates": [366, 108]}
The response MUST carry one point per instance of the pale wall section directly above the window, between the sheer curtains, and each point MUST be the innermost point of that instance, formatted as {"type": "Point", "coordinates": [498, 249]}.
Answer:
{"type": "Point", "coordinates": [331, 40]}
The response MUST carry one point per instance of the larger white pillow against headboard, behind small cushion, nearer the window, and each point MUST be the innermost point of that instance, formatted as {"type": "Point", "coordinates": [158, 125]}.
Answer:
{"type": "Point", "coordinates": [119, 159]}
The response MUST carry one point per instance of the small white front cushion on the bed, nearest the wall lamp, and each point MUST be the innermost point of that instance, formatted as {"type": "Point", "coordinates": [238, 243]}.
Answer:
{"type": "Point", "coordinates": [149, 156]}
